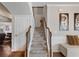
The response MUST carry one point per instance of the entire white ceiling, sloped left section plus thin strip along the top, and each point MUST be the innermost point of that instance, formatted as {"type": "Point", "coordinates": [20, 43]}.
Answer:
{"type": "Point", "coordinates": [23, 8]}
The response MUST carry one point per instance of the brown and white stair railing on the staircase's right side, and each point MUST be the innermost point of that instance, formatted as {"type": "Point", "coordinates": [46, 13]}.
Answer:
{"type": "Point", "coordinates": [47, 35]}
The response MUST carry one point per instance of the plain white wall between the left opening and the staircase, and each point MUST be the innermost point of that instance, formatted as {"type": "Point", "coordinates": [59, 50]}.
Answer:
{"type": "Point", "coordinates": [21, 24]}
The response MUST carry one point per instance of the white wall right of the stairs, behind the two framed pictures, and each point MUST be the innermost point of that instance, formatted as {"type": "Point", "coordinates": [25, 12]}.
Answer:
{"type": "Point", "coordinates": [53, 11]}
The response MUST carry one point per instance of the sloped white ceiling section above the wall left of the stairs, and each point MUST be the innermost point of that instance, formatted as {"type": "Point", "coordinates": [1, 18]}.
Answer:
{"type": "Point", "coordinates": [18, 8]}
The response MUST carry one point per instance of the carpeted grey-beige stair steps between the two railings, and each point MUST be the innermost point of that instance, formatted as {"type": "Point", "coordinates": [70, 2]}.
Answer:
{"type": "Point", "coordinates": [39, 44]}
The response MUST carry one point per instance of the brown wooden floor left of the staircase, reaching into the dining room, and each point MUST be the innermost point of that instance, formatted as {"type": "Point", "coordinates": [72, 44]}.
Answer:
{"type": "Point", "coordinates": [5, 51]}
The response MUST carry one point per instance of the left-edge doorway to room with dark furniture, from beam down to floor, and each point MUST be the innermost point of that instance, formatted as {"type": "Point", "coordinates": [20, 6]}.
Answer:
{"type": "Point", "coordinates": [5, 35]}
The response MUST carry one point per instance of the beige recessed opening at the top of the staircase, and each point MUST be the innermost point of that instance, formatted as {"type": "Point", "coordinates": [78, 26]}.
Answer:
{"type": "Point", "coordinates": [38, 13]}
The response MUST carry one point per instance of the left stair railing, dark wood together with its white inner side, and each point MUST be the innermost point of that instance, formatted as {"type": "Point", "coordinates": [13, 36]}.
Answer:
{"type": "Point", "coordinates": [28, 34]}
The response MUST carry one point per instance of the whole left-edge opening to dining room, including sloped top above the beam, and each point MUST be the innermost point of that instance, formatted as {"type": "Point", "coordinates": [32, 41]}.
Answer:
{"type": "Point", "coordinates": [5, 31]}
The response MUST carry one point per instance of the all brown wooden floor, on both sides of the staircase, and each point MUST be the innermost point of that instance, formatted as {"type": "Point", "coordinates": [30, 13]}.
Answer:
{"type": "Point", "coordinates": [5, 51]}
